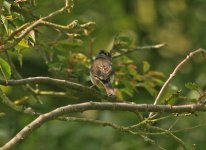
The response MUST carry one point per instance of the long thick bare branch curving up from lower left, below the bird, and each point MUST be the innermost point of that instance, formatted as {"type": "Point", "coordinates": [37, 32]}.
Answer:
{"type": "Point", "coordinates": [131, 107]}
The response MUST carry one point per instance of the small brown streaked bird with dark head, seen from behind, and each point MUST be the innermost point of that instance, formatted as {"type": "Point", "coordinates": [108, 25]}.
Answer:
{"type": "Point", "coordinates": [101, 71]}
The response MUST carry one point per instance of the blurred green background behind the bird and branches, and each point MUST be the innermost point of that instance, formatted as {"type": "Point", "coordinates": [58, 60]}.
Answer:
{"type": "Point", "coordinates": [178, 23]}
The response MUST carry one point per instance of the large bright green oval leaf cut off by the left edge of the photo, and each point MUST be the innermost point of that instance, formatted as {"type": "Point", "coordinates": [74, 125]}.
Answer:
{"type": "Point", "coordinates": [5, 70]}
